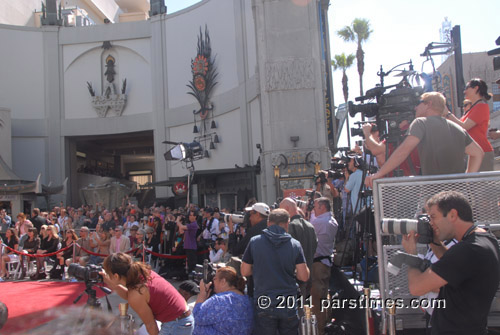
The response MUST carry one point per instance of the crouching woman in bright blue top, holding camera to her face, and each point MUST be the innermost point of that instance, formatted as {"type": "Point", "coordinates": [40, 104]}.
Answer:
{"type": "Point", "coordinates": [229, 311]}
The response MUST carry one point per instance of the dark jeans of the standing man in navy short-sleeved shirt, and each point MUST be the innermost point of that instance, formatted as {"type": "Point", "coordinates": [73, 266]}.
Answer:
{"type": "Point", "coordinates": [272, 321]}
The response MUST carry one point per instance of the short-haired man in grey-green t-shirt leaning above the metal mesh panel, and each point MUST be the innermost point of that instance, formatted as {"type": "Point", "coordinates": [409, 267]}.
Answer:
{"type": "Point", "coordinates": [442, 145]}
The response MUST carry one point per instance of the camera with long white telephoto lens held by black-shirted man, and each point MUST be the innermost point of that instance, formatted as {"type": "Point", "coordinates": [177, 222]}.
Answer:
{"type": "Point", "coordinates": [421, 226]}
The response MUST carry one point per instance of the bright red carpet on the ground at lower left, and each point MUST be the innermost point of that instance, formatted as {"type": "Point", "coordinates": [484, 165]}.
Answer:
{"type": "Point", "coordinates": [28, 300]}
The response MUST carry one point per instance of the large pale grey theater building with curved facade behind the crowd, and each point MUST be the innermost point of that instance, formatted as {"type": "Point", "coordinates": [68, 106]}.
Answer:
{"type": "Point", "coordinates": [93, 89]}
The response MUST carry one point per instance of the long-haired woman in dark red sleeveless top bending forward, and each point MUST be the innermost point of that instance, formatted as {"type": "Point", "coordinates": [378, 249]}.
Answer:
{"type": "Point", "coordinates": [151, 296]}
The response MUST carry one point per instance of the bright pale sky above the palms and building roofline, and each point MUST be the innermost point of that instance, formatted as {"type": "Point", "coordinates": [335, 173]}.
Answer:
{"type": "Point", "coordinates": [401, 31]}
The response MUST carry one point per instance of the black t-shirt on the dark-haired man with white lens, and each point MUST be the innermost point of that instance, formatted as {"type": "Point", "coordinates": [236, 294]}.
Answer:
{"type": "Point", "coordinates": [472, 271]}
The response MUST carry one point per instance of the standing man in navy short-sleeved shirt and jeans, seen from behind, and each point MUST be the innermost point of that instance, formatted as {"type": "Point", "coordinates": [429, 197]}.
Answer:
{"type": "Point", "coordinates": [275, 260]}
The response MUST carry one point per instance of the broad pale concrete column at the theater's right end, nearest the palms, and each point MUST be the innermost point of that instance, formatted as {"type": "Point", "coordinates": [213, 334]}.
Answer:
{"type": "Point", "coordinates": [292, 85]}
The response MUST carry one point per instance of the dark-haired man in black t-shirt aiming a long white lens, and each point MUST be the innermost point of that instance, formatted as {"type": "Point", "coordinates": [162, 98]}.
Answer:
{"type": "Point", "coordinates": [467, 275]}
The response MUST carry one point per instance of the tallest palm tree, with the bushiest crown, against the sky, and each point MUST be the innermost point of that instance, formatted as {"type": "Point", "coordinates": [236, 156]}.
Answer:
{"type": "Point", "coordinates": [359, 31]}
